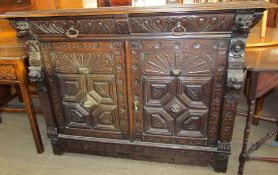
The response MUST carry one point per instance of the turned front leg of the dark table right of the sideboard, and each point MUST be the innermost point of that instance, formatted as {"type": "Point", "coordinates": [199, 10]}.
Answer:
{"type": "Point", "coordinates": [242, 157]}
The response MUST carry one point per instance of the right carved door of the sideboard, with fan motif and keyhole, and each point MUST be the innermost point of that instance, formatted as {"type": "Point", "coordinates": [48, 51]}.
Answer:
{"type": "Point", "coordinates": [177, 89]}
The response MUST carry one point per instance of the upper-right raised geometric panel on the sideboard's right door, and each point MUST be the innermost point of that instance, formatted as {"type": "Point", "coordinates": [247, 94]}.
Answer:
{"type": "Point", "coordinates": [194, 91]}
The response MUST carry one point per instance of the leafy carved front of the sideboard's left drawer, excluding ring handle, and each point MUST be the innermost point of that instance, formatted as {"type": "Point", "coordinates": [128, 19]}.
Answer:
{"type": "Point", "coordinates": [83, 26]}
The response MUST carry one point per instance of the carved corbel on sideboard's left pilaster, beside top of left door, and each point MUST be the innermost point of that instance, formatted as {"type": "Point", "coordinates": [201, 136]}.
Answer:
{"type": "Point", "coordinates": [34, 61]}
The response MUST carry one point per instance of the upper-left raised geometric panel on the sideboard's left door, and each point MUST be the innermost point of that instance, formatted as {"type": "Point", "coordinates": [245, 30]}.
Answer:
{"type": "Point", "coordinates": [72, 87]}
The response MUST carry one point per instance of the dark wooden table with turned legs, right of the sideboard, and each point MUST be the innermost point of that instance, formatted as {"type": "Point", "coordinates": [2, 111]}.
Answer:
{"type": "Point", "coordinates": [262, 77]}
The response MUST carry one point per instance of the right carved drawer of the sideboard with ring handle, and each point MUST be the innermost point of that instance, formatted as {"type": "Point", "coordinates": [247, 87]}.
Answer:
{"type": "Point", "coordinates": [181, 24]}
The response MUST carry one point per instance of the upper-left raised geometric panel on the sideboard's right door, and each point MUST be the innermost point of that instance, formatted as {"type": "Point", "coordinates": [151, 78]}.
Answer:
{"type": "Point", "coordinates": [157, 90]}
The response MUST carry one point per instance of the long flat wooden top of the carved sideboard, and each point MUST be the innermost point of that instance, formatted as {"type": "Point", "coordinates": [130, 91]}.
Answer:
{"type": "Point", "coordinates": [187, 6]}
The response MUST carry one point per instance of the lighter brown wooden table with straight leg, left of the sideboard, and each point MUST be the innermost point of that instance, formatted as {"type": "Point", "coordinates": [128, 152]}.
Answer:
{"type": "Point", "coordinates": [13, 71]}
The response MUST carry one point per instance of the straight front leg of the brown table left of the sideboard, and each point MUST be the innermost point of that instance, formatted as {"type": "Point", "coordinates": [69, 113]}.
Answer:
{"type": "Point", "coordinates": [31, 115]}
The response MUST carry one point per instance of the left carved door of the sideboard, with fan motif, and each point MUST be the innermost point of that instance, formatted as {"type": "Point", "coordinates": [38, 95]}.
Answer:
{"type": "Point", "coordinates": [87, 83]}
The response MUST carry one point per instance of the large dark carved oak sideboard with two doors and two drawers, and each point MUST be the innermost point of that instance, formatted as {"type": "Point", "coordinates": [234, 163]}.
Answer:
{"type": "Point", "coordinates": [150, 83]}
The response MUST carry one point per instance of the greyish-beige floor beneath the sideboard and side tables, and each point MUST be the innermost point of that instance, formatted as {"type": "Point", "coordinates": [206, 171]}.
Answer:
{"type": "Point", "coordinates": [18, 155]}
